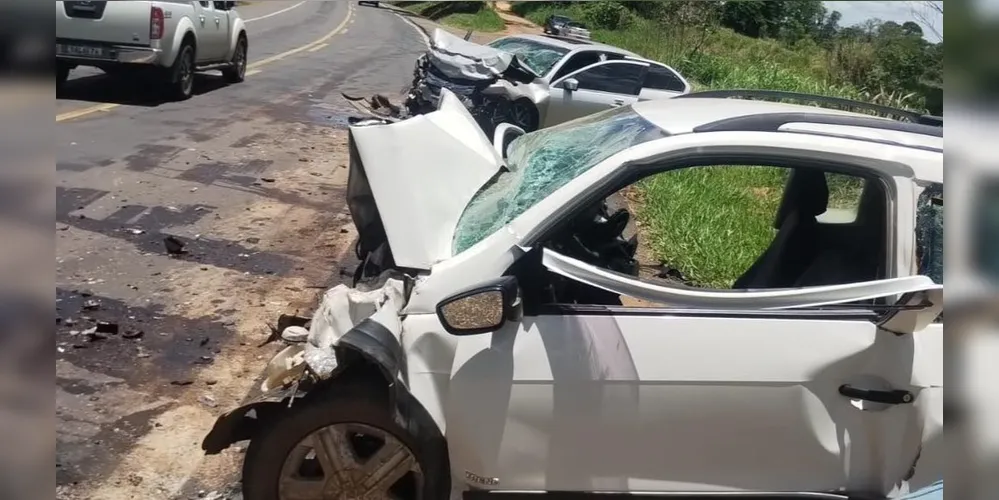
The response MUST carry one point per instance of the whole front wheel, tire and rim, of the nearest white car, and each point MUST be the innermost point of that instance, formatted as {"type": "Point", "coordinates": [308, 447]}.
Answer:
{"type": "Point", "coordinates": [341, 448]}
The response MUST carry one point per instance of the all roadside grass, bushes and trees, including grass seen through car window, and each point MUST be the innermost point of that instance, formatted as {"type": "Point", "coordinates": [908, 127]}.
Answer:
{"type": "Point", "coordinates": [709, 224]}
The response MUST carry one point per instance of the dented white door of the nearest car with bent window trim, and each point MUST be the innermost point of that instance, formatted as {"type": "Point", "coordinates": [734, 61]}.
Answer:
{"type": "Point", "coordinates": [762, 391]}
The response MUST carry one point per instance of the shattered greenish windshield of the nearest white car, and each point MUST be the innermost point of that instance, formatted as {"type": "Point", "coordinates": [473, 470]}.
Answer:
{"type": "Point", "coordinates": [541, 162]}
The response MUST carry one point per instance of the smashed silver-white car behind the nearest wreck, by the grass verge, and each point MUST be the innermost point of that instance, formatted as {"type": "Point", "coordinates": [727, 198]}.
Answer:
{"type": "Point", "coordinates": [532, 81]}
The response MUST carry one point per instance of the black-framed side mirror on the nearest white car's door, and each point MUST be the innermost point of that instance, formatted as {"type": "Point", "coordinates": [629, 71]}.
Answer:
{"type": "Point", "coordinates": [482, 309]}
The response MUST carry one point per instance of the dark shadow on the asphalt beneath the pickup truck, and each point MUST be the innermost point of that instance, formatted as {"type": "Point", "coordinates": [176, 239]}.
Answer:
{"type": "Point", "coordinates": [129, 89]}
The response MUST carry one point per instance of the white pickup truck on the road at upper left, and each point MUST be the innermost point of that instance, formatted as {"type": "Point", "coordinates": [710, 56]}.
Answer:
{"type": "Point", "coordinates": [171, 39]}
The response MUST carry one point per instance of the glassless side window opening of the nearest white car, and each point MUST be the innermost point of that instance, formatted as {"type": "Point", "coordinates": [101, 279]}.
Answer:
{"type": "Point", "coordinates": [796, 227]}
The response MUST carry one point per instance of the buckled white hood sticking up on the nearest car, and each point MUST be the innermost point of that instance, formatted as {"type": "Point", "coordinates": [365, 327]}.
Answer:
{"type": "Point", "coordinates": [411, 180]}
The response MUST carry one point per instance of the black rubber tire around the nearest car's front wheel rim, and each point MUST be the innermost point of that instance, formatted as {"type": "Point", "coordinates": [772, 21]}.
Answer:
{"type": "Point", "coordinates": [268, 450]}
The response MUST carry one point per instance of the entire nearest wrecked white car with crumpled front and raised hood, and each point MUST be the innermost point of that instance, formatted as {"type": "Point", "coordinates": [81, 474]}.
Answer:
{"type": "Point", "coordinates": [490, 344]}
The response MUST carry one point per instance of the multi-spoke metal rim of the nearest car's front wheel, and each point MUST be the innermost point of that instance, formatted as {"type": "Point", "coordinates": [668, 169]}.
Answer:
{"type": "Point", "coordinates": [350, 461]}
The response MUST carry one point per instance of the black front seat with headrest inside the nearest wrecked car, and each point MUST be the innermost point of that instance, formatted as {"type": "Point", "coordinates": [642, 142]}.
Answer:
{"type": "Point", "coordinates": [796, 244]}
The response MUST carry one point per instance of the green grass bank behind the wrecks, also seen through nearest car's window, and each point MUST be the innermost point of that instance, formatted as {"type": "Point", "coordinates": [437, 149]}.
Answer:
{"type": "Point", "coordinates": [711, 223]}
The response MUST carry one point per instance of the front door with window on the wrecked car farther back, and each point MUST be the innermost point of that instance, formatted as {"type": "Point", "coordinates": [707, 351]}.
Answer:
{"type": "Point", "coordinates": [600, 86]}
